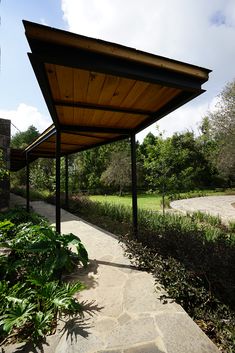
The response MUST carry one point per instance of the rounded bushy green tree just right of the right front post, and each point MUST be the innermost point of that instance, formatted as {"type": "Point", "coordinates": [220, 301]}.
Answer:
{"type": "Point", "coordinates": [178, 163]}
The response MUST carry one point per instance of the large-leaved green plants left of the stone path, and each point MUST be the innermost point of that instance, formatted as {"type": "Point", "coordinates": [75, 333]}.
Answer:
{"type": "Point", "coordinates": [33, 259]}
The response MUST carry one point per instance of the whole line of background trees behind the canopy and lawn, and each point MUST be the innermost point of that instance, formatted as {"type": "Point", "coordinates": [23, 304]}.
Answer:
{"type": "Point", "coordinates": [182, 162]}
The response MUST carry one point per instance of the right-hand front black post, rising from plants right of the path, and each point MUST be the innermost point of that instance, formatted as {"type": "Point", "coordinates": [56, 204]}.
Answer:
{"type": "Point", "coordinates": [134, 186]}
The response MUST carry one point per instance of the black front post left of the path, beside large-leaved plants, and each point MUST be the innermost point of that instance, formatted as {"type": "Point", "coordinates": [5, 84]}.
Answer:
{"type": "Point", "coordinates": [58, 147]}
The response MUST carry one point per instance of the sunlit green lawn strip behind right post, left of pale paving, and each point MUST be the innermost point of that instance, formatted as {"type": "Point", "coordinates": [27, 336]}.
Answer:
{"type": "Point", "coordinates": [144, 201]}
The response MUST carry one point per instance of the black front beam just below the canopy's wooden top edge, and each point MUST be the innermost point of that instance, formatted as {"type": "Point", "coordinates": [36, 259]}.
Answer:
{"type": "Point", "coordinates": [80, 59]}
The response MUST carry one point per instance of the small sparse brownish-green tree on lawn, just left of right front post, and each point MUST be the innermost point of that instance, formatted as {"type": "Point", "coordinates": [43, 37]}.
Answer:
{"type": "Point", "coordinates": [118, 172]}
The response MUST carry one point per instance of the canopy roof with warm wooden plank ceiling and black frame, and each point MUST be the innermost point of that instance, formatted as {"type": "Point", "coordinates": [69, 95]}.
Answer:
{"type": "Point", "coordinates": [99, 92]}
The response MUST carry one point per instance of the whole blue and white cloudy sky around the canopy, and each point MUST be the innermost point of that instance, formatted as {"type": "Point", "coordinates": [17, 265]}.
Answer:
{"type": "Point", "coordinates": [198, 32]}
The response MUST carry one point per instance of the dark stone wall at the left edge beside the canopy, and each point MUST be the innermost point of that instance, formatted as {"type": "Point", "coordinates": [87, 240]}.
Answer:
{"type": "Point", "coordinates": [5, 136]}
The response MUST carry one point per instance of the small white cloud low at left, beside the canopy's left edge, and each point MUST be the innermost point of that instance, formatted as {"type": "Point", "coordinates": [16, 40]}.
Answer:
{"type": "Point", "coordinates": [24, 116]}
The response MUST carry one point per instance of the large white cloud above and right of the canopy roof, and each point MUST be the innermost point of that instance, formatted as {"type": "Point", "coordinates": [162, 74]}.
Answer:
{"type": "Point", "coordinates": [199, 32]}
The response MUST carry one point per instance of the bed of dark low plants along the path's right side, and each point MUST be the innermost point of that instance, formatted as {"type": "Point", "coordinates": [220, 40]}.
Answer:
{"type": "Point", "coordinates": [191, 256]}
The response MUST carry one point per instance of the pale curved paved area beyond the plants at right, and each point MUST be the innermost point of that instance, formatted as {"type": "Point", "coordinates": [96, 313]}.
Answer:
{"type": "Point", "coordinates": [214, 205]}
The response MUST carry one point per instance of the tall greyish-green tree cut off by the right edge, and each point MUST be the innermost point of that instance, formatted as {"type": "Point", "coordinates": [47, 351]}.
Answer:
{"type": "Point", "coordinates": [222, 127]}
